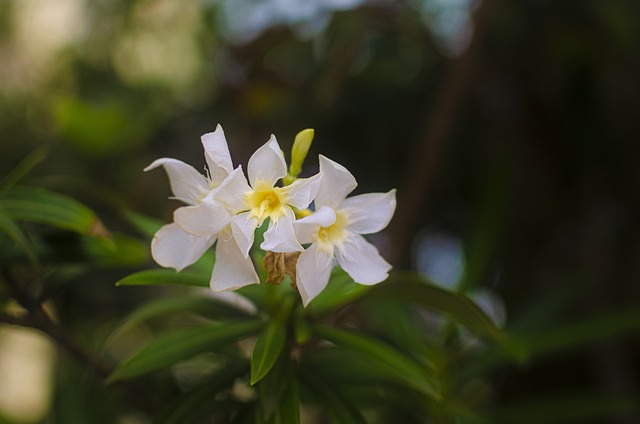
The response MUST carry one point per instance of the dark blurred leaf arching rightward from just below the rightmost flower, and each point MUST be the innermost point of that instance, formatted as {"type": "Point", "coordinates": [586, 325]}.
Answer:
{"type": "Point", "coordinates": [412, 289]}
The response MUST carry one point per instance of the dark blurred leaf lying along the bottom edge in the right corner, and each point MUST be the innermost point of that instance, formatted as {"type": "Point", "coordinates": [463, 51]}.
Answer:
{"type": "Point", "coordinates": [565, 408]}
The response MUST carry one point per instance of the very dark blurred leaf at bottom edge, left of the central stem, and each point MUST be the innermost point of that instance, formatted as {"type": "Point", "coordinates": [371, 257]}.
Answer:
{"type": "Point", "coordinates": [201, 402]}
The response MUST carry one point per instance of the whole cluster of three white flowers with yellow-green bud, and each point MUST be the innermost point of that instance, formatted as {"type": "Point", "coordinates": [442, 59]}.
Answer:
{"type": "Point", "coordinates": [225, 209]}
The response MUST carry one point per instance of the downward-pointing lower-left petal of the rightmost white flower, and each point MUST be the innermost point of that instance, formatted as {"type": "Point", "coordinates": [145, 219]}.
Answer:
{"type": "Point", "coordinates": [312, 272]}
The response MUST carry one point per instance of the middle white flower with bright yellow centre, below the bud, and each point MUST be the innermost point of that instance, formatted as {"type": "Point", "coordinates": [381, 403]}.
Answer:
{"type": "Point", "coordinates": [252, 204]}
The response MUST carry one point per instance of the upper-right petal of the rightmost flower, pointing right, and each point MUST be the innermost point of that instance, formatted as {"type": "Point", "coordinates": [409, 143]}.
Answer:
{"type": "Point", "coordinates": [371, 212]}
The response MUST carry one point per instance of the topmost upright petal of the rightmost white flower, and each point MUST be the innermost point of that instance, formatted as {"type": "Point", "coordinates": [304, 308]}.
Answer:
{"type": "Point", "coordinates": [336, 183]}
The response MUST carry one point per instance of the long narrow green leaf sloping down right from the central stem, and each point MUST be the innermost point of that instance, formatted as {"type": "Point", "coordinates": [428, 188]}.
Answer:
{"type": "Point", "coordinates": [395, 363]}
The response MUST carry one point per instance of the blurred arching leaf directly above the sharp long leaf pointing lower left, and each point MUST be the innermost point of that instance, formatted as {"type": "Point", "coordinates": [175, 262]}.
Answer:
{"type": "Point", "coordinates": [204, 306]}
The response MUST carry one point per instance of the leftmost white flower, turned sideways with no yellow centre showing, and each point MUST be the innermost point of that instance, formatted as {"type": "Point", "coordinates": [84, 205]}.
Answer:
{"type": "Point", "coordinates": [205, 219]}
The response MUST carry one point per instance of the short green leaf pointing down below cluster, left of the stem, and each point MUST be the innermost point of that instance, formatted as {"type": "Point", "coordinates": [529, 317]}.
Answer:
{"type": "Point", "coordinates": [267, 349]}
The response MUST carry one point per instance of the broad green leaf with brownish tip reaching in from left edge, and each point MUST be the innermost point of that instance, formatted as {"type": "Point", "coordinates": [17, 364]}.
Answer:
{"type": "Point", "coordinates": [46, 207]}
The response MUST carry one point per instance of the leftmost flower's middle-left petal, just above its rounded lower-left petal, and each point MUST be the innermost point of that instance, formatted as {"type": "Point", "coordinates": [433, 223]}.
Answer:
{"type": "Point", "coordinates": [204, 220]}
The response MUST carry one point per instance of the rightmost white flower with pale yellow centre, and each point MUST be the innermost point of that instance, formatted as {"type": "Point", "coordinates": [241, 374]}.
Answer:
{"type": "Point", "coordinates": [335, 229]}
